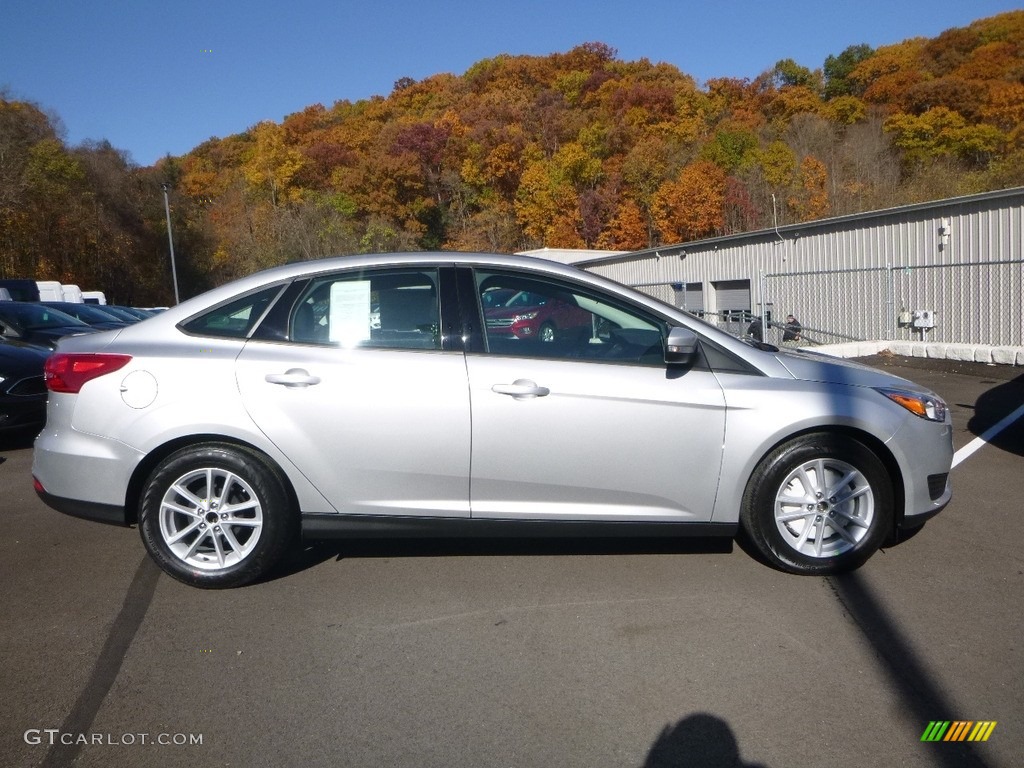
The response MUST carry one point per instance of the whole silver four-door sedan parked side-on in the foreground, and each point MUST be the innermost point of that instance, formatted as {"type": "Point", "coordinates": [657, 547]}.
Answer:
{"type": "Point", "coordinates": [376, 396]}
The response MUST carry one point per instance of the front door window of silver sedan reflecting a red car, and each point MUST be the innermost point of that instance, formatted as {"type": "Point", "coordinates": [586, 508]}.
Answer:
{"type": "Point", "coordinates": [541, 318]}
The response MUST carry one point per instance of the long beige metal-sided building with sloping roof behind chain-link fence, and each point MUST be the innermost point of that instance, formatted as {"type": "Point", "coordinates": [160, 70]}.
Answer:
{"type": "Point", "coordinates": [947, 272]}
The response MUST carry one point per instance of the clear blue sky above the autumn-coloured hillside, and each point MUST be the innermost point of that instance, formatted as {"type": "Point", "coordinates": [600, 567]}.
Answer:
{"type": "Point", "coordinates": [161, 78]}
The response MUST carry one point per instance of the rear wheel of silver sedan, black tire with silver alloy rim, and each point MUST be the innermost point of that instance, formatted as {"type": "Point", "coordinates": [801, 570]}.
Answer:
{"type": "Point", "coordinates": [228, 538]}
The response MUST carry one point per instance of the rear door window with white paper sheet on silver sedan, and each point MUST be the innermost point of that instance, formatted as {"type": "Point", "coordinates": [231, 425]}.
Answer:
{"type": "Point", "coordinates": [388, 309]}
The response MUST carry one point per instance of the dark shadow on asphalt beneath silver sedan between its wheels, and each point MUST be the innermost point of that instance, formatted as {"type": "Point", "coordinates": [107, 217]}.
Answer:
{"type": "Point", "coordinates": [313, 553]}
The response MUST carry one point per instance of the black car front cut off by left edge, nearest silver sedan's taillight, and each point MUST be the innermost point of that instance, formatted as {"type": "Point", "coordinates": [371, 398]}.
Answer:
{"type": "Point", "coordinates": [23, 389]}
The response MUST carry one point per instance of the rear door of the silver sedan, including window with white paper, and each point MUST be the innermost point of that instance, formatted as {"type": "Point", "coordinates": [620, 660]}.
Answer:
{"type": "Point", "coordinates": [362, 397]}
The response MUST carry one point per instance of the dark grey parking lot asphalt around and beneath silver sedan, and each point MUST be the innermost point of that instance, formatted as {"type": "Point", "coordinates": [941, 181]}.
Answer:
{"type": "Point", "coordinates": [566, 654]}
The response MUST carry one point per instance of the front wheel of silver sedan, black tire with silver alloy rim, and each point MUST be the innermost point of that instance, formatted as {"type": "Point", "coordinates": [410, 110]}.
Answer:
{"type": "Point", "coordinates": [818, 505]}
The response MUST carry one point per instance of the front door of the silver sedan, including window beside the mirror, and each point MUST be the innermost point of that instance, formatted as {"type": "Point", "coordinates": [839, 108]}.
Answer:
{"type": "Point", "coordinates": [592, 425]}
